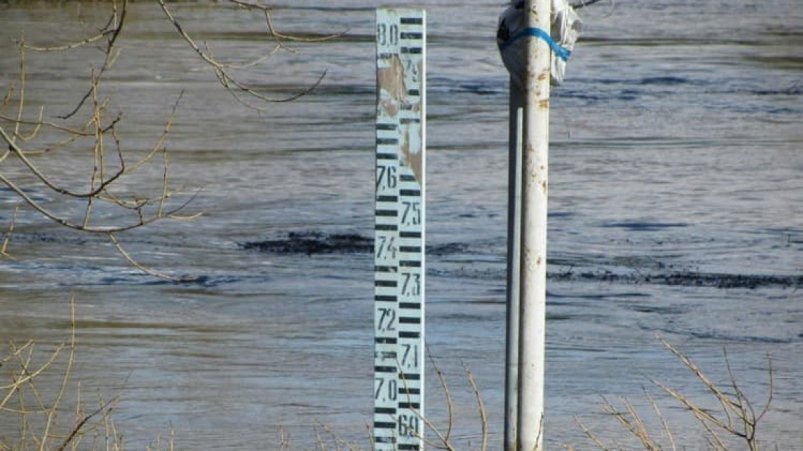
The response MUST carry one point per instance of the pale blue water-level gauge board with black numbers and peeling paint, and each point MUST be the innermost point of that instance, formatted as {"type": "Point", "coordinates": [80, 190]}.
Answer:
{"type": "Point", "coordinates": [399, 230]}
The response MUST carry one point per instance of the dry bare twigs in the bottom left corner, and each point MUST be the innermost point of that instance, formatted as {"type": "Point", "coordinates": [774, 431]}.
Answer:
{"type": "Point", "coordinates": [36, 385]}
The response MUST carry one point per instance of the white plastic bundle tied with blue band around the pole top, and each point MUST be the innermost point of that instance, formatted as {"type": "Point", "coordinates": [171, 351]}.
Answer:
{"type": "Point", "coordinates": [566, 28]}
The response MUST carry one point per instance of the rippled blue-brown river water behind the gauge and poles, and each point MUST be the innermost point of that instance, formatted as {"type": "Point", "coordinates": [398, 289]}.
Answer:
{"type": "Point", "coordinates": [676, 208]}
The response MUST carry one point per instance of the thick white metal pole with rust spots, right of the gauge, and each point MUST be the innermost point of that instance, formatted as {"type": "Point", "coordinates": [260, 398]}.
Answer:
{"type": "Point", "coordinates": [532, 337]}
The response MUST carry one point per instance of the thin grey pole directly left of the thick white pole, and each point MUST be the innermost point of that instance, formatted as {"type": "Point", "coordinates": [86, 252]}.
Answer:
{"type": "Point", "coordinates": [513, 260]}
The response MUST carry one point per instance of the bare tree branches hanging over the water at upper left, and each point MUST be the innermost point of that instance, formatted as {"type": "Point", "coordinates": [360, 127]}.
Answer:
{"type": "Point", "coordinates": [21, 142]}
